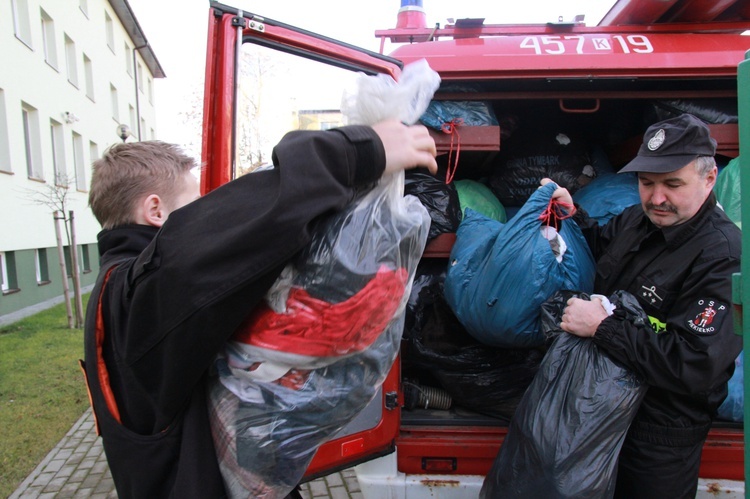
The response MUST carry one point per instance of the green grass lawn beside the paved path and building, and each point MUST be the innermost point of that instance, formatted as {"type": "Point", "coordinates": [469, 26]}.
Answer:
{"type": "Point", "coordinates": [42, 392]}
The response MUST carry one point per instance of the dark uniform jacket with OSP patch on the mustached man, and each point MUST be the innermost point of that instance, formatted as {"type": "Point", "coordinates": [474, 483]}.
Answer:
{"type": "Point", "coordinates": [681, 276]}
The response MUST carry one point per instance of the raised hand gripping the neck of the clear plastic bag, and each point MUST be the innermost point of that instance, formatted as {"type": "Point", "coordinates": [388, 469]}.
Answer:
{"type": "Point", "coordinates": [406, 146]}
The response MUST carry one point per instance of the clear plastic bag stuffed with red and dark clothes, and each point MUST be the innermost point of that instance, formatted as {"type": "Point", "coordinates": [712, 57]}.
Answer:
{"type": "Point", "coordinates": [315, 354]}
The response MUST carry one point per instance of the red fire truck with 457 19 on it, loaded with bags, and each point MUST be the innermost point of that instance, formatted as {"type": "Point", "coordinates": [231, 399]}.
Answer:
{"type": "Point", "coordinates": [604, 83]}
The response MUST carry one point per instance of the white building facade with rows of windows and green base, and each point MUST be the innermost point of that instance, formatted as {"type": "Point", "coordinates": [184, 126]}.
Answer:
{"type": "Point", "coordinates": [77, 77]}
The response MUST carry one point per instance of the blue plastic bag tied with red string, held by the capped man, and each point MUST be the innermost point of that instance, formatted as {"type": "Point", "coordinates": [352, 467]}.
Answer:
{"type": "Point", "coordinates": [500, 274]}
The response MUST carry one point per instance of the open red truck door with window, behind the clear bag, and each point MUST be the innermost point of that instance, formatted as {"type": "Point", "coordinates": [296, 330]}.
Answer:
{"type": "Point", "coordinates": [252, 60]}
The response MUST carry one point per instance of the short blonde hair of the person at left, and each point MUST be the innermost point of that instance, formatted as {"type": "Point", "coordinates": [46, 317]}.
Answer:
{"type": "Point", "coordinates": [128, 172]}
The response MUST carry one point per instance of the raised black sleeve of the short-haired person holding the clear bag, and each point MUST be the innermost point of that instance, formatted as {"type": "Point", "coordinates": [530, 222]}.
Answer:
{"type": "Point", "coordinates": [213, 259]}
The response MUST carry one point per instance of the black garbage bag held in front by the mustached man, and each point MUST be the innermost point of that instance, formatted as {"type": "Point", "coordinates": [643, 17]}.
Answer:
{"type": "Point", "coordinates": [566, 434]}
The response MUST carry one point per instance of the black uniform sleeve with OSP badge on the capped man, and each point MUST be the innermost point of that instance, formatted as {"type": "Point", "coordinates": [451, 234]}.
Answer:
{"type": "Point", "coordinates": [691, 351]}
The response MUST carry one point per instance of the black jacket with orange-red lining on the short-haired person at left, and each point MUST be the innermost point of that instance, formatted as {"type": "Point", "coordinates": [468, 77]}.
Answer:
{"type": "Point", "coordinates": [175, 295]}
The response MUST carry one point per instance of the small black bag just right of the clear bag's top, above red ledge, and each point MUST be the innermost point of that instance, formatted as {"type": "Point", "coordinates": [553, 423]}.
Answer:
{"type": "Point", "coordinates": [440, 199]}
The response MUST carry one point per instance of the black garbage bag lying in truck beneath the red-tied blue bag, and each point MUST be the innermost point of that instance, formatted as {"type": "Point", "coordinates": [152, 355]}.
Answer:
{"type": "Point", "coordinates": [488, 380]}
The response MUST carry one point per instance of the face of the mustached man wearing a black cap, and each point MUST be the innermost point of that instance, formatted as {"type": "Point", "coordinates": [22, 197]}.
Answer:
{"type": "Point", "coordinates": [673, 198]}
